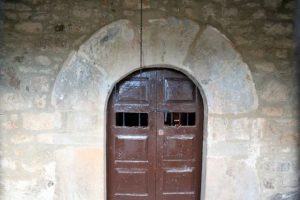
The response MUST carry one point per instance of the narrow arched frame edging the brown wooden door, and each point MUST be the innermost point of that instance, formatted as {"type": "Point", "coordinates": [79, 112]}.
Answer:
{"type": "Point", "coordinates": [205, 116]}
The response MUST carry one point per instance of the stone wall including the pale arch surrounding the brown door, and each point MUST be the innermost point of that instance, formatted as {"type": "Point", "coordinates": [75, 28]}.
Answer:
{"type": "Point", "coordinates": [60, 59]}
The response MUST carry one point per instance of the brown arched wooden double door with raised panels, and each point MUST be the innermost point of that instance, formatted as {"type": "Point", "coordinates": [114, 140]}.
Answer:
{"type": "Point", "coordinates": [154, 141]}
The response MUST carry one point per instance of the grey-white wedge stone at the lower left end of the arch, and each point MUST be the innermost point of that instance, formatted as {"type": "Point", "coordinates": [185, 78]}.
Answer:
{"type": "Point", "coordinates": [79, 86]}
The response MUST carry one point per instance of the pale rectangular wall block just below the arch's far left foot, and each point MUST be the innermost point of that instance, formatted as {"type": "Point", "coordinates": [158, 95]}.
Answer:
{"type": "Point", "coordinates": [41, 121]}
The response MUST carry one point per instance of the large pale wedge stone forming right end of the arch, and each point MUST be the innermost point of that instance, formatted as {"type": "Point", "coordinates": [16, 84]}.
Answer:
{"type": "Point", "coordinates": [228, 86]}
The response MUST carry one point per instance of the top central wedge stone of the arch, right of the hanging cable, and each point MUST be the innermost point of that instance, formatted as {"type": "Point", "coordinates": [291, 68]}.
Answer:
{"type": "Point", "coordinates": [167, 41]}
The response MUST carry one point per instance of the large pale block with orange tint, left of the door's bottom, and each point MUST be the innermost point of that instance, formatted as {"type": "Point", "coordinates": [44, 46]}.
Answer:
{"type": "Point", "coordinates": [79, 173]}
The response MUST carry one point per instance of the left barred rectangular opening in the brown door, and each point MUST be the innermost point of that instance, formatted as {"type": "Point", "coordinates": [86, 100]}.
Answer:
{"type": "Point", "coordinates": [125, 119]}
